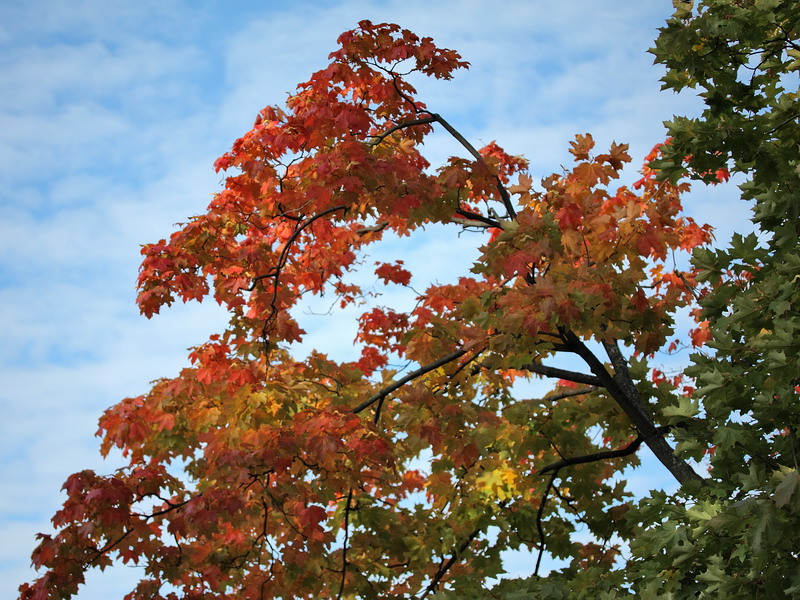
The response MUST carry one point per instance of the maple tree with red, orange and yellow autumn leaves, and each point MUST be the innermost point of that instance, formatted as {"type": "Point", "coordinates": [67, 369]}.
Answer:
{"type": "Point", "coordinates": [256, 474]}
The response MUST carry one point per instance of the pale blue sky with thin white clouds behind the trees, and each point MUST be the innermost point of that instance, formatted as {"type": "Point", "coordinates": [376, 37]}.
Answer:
{"type": "Point", "coordinates": [111, 116]}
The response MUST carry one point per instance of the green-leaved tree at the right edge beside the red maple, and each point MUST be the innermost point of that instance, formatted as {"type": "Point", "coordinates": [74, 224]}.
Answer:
{"type": "Point", "coordinates": [739, 538]}
